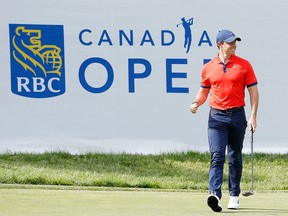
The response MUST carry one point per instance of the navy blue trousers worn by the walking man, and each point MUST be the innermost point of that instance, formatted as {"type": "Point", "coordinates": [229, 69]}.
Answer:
{"type": "Point", "coordinates": [226, 130]}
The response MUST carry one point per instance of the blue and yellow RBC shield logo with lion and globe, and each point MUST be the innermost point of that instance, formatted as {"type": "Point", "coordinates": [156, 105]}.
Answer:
{"type": "Point", "coordinates": [37, 60]}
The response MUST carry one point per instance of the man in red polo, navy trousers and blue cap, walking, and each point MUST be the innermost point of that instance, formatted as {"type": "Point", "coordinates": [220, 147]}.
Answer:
{"type": "Point", "coordinates": [225, 78]}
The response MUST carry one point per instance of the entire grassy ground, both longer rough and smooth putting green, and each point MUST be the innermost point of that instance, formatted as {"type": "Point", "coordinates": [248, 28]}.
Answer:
{"type": "Point", "coordinates": [59, 183]}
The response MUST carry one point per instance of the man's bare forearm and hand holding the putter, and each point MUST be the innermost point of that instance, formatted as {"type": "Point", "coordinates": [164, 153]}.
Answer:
{"type": "Point", "coordinates": [254, 101]}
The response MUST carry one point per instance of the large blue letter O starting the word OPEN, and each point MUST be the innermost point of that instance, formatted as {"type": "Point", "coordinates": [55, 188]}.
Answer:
{"type": "Point", "coordinates": [82, 78]}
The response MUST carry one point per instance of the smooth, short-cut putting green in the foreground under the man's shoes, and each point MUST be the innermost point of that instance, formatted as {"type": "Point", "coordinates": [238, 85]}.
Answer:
{"type": "Point", "coordinates": [30, 202]}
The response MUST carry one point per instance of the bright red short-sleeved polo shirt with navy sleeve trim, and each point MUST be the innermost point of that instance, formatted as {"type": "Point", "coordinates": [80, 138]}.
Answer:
{"type": "Point", "coordinates": [227, 82]}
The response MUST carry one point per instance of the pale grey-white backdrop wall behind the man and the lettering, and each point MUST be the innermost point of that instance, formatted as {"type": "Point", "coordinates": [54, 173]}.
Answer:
{"type": "Point", "coordinates": [149, 120]}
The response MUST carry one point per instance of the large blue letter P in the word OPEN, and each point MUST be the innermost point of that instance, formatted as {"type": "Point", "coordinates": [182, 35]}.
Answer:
{"type": "Point", "coordinates": [139, 75]}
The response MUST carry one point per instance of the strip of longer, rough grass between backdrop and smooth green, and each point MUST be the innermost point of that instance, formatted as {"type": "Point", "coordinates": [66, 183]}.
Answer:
{"type": "Point", "coordinates": [173, 171]}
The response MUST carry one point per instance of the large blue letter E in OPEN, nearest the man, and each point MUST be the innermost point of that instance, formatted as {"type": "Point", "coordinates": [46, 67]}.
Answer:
{"type": "Point", "coordinates": [170, 75]}
